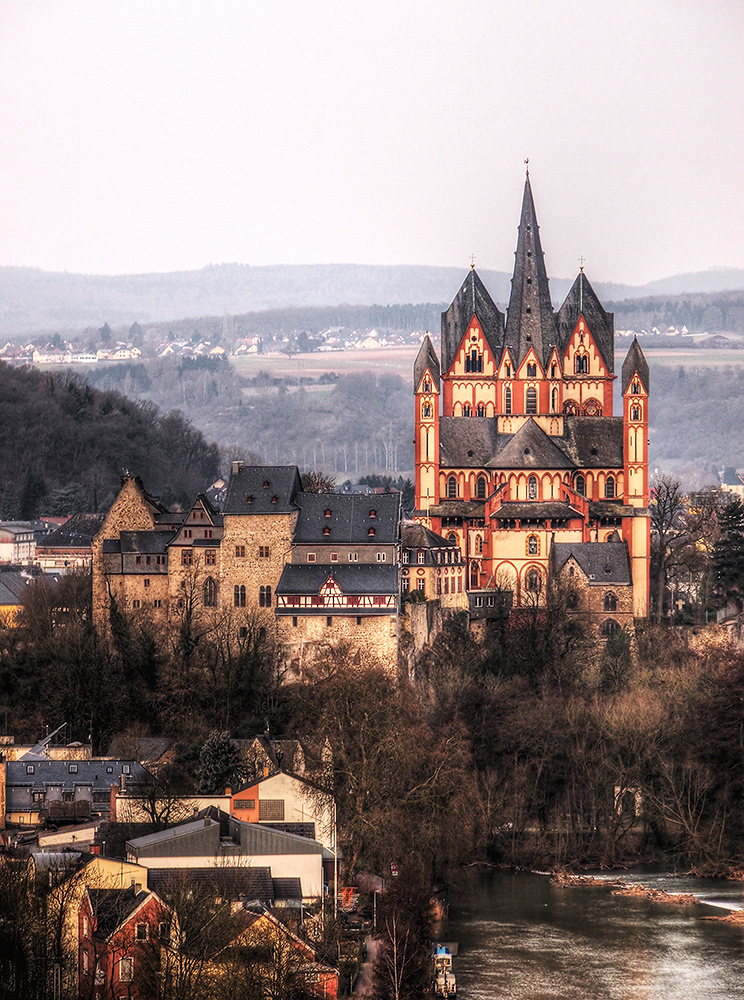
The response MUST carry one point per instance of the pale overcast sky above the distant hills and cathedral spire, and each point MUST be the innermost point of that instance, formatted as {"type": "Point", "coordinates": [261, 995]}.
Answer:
{"type": "Point", "coordinates": [146, 135]}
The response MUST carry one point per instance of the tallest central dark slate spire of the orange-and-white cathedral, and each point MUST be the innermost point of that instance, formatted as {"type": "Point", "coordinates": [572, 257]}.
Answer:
{"type": "Point", "coordinates": [530, 322]}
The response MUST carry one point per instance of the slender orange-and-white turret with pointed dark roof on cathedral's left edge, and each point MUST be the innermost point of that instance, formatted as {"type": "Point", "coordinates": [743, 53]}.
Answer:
{"type": "Point", "coordinates": [426, 377]}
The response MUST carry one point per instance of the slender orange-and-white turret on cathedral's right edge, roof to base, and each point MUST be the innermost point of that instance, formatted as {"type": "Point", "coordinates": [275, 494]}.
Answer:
{"type": "Point", "coordinates": [635, 386]}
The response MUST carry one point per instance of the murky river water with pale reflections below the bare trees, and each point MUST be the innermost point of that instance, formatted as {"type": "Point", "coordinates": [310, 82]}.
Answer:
{"type": "Point", "coordinates": [523, 938]}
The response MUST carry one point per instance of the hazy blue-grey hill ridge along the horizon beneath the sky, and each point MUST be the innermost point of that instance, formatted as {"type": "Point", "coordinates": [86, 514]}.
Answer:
{"type": "Point", "coordinates": [32, 300]}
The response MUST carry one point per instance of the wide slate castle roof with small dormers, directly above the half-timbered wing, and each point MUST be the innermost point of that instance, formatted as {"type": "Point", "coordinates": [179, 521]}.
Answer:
{"type": "Point", "coordinates": [350, 519]}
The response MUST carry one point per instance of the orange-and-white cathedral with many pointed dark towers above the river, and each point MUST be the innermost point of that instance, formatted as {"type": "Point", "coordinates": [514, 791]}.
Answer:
{"type": "Point", "coordinates": [520, 459]}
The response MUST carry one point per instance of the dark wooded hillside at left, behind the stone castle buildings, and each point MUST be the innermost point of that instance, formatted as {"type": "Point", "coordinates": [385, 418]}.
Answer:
{"type": "Point", "coordinates": [65, 446]}
